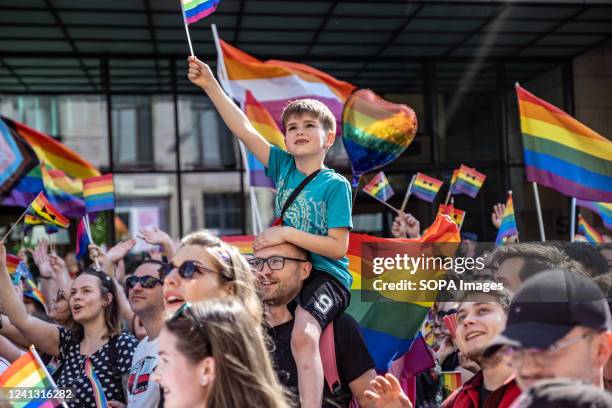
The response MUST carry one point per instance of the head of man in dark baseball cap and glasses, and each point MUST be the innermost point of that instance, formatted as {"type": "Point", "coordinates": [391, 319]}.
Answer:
{"type": "Point", "coordinates": [558, 327]}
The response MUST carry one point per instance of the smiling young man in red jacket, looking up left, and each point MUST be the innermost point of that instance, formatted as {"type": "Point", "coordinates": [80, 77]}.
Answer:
{"type": "Point", "coordinates": [481, 317]}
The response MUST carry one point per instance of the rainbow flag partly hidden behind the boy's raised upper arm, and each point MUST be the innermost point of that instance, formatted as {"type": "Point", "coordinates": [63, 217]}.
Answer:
{"type": "Point", "coordinates": [264, 123]}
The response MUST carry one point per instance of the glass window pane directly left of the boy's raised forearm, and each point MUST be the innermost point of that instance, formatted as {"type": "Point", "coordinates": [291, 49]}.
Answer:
{"type": "Point", "coordinates": [206, 143]}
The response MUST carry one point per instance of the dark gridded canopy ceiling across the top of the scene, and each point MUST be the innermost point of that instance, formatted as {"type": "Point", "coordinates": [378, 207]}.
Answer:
{"type": "Point", "coordinates": [71, 46]}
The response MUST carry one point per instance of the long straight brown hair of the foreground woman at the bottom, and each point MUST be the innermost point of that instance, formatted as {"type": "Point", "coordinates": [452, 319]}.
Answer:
{"type": "Point", "coordinates": [223, 330]}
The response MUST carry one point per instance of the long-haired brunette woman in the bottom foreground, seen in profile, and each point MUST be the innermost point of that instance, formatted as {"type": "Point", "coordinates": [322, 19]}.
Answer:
{"type": "Point", "coordinates": [212, 354]}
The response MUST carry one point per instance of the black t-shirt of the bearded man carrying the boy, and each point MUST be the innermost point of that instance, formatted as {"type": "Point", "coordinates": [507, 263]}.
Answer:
{"type": "Point", "coordinates": [352, 358]}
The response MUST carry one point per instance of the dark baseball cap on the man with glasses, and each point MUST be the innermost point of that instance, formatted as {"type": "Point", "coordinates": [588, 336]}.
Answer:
{"type": "Point", "coordinates": [548, 306]}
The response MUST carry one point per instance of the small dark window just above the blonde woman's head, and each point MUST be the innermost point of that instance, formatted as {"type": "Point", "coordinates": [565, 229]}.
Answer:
{"type": "Point", "coordinates": [223, 213]}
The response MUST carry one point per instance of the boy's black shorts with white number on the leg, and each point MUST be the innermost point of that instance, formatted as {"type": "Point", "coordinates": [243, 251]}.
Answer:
{"type": "Point", "coordinates": [323, 297]}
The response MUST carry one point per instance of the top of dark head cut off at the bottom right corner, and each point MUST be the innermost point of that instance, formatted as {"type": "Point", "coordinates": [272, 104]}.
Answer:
{"type": "Point", "coordinates": [564, 393]}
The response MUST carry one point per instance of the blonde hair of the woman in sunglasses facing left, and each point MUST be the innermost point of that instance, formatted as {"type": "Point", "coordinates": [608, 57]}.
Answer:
{"type": "Point", "coordinates": [235, 271]}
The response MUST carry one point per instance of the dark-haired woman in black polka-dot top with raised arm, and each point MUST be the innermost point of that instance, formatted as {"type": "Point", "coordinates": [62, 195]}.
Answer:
{"type": "Point", "coordinates": [96, 338]}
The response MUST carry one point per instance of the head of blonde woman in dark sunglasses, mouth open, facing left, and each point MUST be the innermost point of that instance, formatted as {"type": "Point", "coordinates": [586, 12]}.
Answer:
{"type": "Point", "coordinates": [204, 267]}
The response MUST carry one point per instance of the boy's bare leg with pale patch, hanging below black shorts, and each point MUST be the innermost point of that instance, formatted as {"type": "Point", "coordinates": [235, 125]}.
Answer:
{"type": "Point", "coordinates": [305, 348]}
